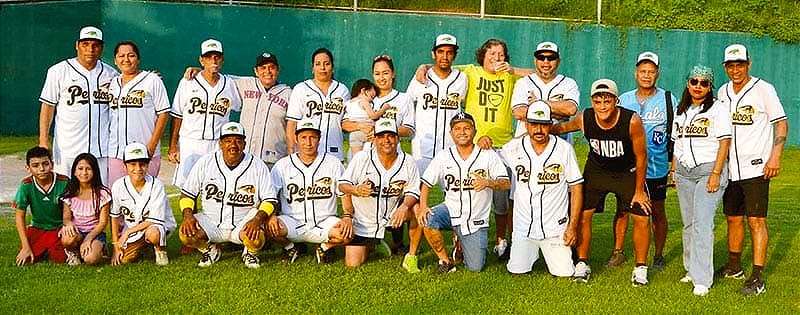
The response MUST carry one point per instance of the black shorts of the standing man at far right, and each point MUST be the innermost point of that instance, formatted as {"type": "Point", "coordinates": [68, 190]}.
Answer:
{"type": "Point", "coordinates": [749, 197]}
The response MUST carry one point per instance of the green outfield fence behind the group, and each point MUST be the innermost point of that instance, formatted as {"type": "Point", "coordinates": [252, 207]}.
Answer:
{"type": "Point", "coordinates": [35, 35]}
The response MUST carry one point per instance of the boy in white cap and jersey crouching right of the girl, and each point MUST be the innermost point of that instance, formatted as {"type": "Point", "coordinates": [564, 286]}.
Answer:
{"type": "Point", "coordinates": [142, 203]}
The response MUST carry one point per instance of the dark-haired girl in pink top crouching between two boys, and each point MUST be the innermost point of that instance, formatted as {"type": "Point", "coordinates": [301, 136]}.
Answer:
{"type": "Point", "coordinates": [85, 212]}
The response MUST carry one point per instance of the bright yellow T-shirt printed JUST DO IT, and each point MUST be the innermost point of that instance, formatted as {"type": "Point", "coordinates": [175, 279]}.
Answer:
{"type": "Point", "coordinates": [489, 102]}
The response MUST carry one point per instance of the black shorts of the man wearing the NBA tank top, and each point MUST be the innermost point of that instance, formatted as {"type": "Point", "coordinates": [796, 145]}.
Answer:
{"type": "Point", "coordinates": [599, 182]}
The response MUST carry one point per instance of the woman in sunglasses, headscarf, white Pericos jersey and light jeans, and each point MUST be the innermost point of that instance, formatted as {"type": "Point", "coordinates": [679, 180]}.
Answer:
{"type": "Point", "coordinates": [702, 135]}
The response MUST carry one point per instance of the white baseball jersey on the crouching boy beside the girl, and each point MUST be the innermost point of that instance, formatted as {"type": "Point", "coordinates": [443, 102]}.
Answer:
{"type": "Point", "coordinates": [135, 207]}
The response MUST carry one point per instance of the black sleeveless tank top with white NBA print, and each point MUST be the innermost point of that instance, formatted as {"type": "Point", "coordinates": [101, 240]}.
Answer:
{"type": "Point", "coordinates": [610, 149]}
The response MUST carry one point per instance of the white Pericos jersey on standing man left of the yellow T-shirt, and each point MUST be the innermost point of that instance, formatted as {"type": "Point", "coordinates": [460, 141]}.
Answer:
{"type": "Point", "coordinates": [437, 101]}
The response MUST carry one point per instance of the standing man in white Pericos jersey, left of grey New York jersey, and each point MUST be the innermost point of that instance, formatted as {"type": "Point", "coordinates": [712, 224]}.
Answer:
{"type": "Point", "coordinates": [200, 107]}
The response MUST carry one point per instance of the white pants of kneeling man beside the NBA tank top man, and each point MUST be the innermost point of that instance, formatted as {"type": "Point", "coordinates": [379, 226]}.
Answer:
{"type": "Point", "coordinates": [525, 252]}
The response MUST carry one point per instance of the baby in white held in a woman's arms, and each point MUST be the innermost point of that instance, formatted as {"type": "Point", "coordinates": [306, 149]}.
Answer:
{"type": "Point", "coordinates": [359, 109]}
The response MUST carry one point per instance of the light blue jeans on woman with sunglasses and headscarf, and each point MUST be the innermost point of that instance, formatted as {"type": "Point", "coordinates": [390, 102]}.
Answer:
{"type": "Point", "coordinates": [698, 208]}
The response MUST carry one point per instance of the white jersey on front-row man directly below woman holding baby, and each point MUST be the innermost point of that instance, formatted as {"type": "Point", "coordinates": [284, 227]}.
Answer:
{"type": "Point", "coordinates": [389, 187]}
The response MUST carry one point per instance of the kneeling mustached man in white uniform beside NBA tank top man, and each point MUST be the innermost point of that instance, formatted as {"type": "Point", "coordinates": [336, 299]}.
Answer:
{"type": "Point", "coordinates": [548, 196]}
